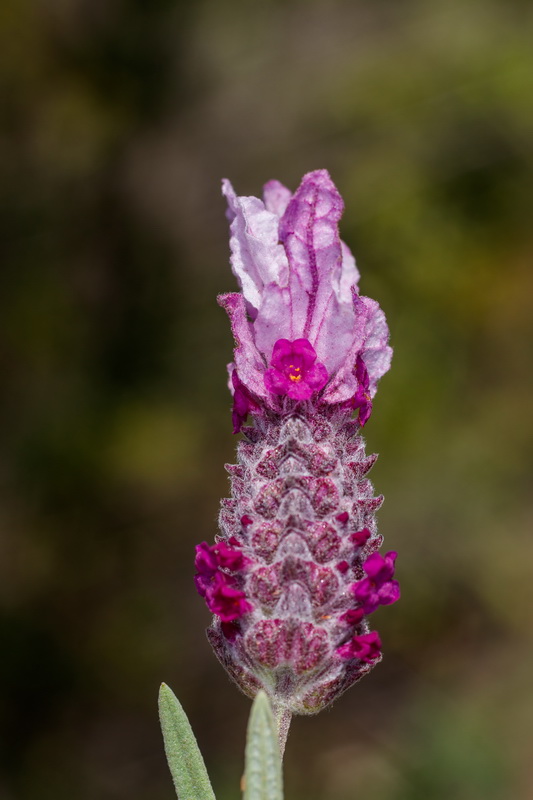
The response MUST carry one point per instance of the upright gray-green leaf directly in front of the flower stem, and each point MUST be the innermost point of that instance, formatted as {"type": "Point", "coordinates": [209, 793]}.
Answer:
{"type": "Point", "coordinates": [262, 774]}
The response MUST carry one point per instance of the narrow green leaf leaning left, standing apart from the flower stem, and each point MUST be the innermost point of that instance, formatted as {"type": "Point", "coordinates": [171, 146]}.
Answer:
{"type": "Point", "coordinates": [183, 754]}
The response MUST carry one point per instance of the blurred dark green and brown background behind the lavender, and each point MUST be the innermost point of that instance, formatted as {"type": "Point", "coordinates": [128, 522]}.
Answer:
{"type": "Point", "coordinates": [119, 117]}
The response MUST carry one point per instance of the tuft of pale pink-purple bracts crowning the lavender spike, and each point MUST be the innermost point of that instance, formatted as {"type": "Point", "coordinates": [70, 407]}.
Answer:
{"type": "Point", "coordinates": [299, 282]}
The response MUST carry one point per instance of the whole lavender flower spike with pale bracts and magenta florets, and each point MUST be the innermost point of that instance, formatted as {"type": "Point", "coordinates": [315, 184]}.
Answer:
{"type": "Point", "coordinates": [295, 571]}
